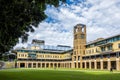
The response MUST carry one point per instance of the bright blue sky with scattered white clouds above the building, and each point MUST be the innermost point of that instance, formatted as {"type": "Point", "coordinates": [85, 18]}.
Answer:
{"type": "Point", "coordinates": [101, 17]}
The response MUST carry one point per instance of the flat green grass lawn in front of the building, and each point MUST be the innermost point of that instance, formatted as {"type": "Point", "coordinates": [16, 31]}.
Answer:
{"type": "Point", "coordinates": [58, 74]}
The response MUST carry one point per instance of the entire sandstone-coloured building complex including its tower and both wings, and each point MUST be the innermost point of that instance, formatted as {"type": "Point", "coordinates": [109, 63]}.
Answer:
{"type": "Point", "coordinates": [98, 54]}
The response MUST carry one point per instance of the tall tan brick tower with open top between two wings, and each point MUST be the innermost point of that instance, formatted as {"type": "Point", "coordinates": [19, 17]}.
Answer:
{"type": "Point", "coordinates": [79, 43]}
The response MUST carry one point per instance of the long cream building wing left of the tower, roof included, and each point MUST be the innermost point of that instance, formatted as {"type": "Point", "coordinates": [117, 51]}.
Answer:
{"type": "Point", "coordinates": [44, 56]}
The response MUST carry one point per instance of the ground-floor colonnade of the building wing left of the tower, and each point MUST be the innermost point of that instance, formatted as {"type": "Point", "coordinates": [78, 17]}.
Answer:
{"type": "Point", "coordinates": [43, 64]}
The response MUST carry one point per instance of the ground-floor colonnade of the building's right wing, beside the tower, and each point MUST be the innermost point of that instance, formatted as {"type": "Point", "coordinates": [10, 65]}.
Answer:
{"type": "Point", "coordinates": [99, 64]}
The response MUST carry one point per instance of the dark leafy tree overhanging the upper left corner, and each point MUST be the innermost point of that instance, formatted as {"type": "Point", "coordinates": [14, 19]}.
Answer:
{"type": "Point", "coordinates": [18, 17]}
